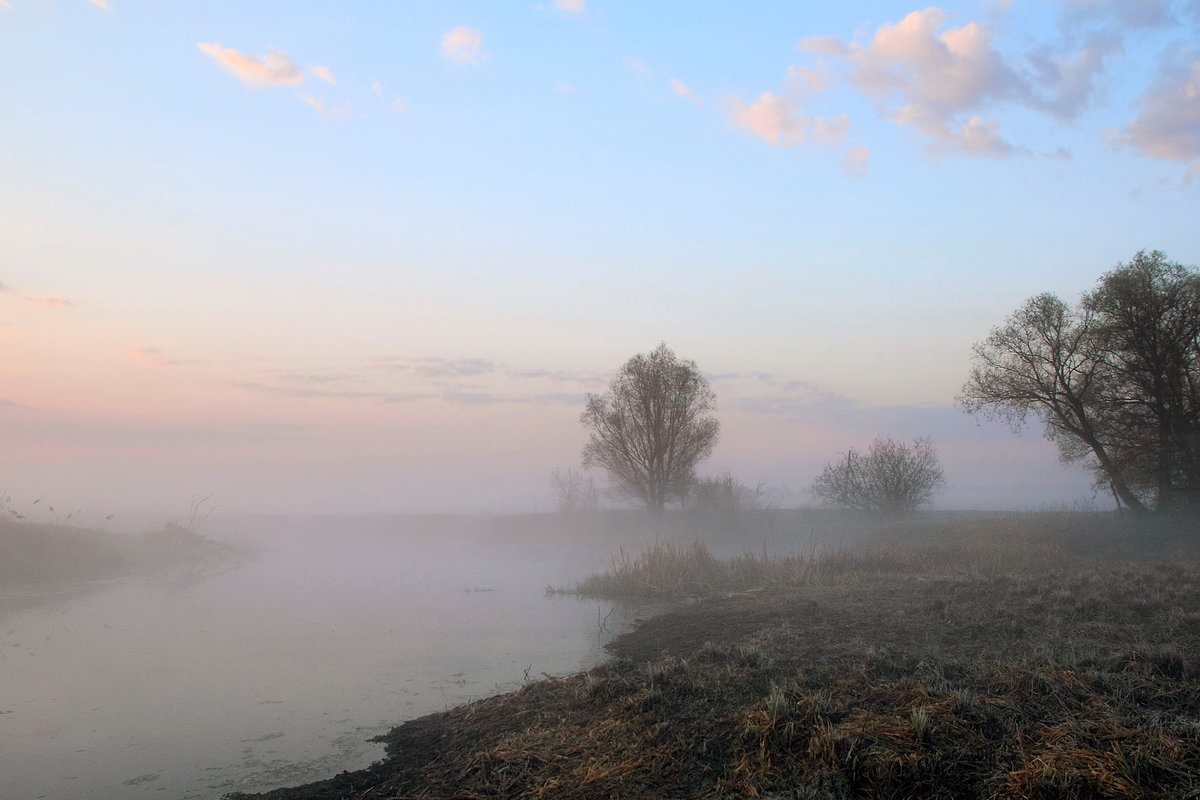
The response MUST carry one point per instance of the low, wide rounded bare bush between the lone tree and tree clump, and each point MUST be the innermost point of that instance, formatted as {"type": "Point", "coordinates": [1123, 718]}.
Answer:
{"type": "Point", "coordinates": [891, 478]}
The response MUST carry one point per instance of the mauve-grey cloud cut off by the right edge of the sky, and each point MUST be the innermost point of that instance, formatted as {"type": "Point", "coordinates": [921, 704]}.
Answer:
{"type": "Point", "coordinates": [1169, 124]}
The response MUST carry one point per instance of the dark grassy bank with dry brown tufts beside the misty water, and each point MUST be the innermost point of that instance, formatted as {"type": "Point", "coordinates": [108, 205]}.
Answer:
{"type": "Point", "coordinates": [981, 664]}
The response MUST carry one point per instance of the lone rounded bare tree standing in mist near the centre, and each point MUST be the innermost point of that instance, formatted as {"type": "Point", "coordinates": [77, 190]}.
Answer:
{"type": "Point", "coordinates": [652, 428]}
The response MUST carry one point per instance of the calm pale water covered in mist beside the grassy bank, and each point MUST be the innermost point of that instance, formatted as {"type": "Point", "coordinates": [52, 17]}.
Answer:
{"type": "Point", "coordinates": [278, 672]}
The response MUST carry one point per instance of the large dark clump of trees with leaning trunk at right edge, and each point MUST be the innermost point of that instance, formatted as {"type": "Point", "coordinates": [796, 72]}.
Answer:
{"type": "Point", "coordinates": [1117, 381]}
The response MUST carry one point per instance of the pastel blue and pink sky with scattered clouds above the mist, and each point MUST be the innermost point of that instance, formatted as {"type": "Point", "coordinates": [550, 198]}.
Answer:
{"type": "Point", "coordinates": [370, 257]}
